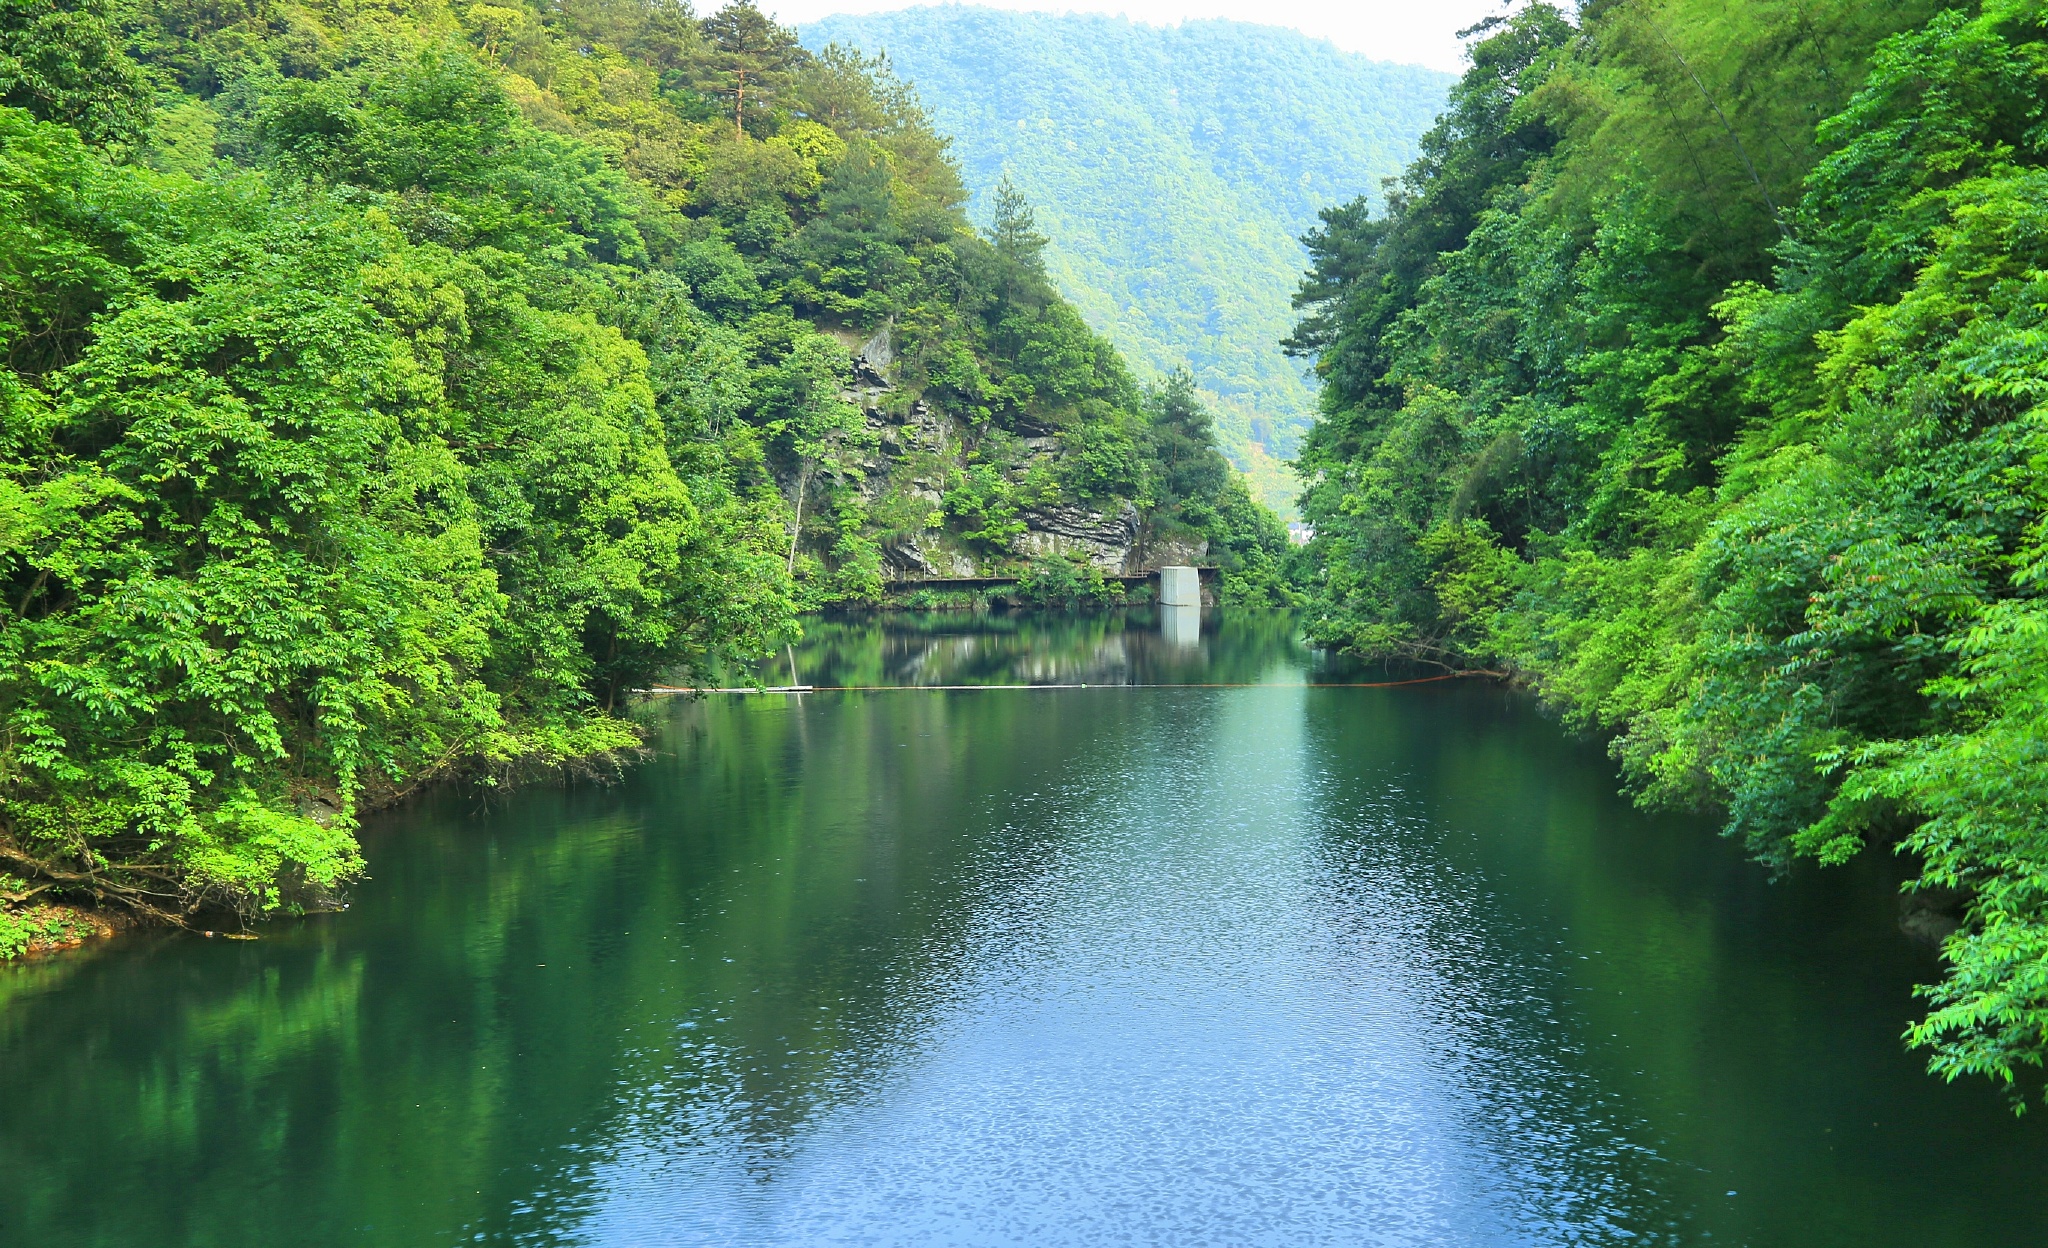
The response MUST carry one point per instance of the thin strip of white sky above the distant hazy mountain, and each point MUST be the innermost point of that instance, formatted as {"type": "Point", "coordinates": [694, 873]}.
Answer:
{"type": "Point", "coordinates": [1408, 32]}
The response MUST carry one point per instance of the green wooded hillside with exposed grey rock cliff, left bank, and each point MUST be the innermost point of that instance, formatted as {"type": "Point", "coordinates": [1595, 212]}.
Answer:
{"type": "Point", "coordinates": [394, 390]}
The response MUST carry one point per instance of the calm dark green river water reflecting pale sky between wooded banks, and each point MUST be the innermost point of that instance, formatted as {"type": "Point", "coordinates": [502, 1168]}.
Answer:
{"type": "Point", "coordinates": [1089, 966]}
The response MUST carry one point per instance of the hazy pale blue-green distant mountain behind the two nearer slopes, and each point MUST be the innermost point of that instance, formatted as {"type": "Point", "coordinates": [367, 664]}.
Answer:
{"type": "Point", "coordinates": [1172, 171]}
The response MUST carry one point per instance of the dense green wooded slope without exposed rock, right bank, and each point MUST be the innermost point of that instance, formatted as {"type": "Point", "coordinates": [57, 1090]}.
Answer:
{"type": "Point", "coordinates": [1699, 376]}
